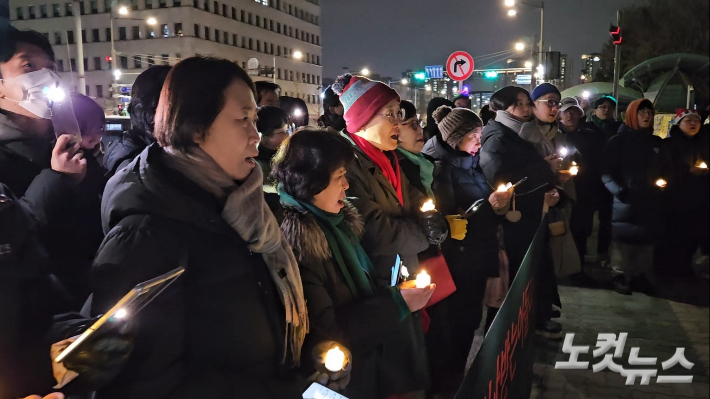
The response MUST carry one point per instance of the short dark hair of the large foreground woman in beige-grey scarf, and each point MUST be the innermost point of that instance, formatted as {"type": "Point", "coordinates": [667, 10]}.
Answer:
{"type": "Point", "coordinates": [192, 97]}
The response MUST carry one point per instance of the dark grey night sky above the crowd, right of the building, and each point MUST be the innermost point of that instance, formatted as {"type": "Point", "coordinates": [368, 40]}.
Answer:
{"type": "Point", "coordinates": [390, 36]}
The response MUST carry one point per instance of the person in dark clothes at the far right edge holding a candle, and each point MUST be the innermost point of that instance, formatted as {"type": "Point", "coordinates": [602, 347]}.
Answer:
{"type": "Point", "coordinates": [687, 211]}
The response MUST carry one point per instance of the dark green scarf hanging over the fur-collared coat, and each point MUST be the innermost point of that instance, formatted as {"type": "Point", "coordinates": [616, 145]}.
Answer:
{"type": "Point", "coordinates": [344, 245]}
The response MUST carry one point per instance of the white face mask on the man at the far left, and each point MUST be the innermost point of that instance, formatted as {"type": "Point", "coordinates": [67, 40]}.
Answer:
{"type": "Point", "coordinates": [30, 91]}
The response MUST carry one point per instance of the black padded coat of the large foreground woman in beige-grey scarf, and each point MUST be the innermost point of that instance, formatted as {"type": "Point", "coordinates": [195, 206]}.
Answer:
{"type": "Point", "coordinates": [218, 331]}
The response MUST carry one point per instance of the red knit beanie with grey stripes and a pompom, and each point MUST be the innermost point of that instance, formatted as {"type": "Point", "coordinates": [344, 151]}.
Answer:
{"type": "Point", "coordinates": [362, 98]}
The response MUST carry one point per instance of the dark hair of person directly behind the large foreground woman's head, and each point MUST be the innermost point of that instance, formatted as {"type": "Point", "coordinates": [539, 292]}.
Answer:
{"type": "Point", "coordinates": [145, 94]}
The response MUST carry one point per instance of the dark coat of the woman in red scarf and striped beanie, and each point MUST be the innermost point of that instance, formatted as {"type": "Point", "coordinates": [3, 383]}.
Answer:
{"type": "Point", "coordinates": [390, 228]}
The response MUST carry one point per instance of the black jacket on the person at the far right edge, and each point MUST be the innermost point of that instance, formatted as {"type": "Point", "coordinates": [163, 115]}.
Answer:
{"type": "Point", "coordinates": [690, 192]}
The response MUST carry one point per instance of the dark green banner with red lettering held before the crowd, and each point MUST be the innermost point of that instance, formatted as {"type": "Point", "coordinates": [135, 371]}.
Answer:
{"type": "Point", "coordinates": [503, 367]}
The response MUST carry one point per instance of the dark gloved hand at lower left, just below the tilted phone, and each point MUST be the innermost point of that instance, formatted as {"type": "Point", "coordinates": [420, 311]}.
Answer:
{"type": "Point", "coordinates": [99, 359]}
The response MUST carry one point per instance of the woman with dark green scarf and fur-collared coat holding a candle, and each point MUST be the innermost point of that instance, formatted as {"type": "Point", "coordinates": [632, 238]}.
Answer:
{"type": "Point", "coordinates": [345, 302]}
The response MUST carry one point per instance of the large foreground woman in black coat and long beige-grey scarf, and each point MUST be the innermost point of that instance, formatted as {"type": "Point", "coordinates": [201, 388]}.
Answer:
{"type": "Point", "coordinates": [195, 199]}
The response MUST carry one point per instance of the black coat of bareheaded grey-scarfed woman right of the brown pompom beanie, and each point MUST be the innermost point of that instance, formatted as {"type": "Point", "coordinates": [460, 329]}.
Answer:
{"type": "Point", "coordinates": [506, 157]}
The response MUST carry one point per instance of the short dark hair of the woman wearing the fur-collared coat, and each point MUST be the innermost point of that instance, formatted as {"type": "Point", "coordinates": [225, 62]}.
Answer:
{"type": "Point", "coordinates": [306, 161]}
